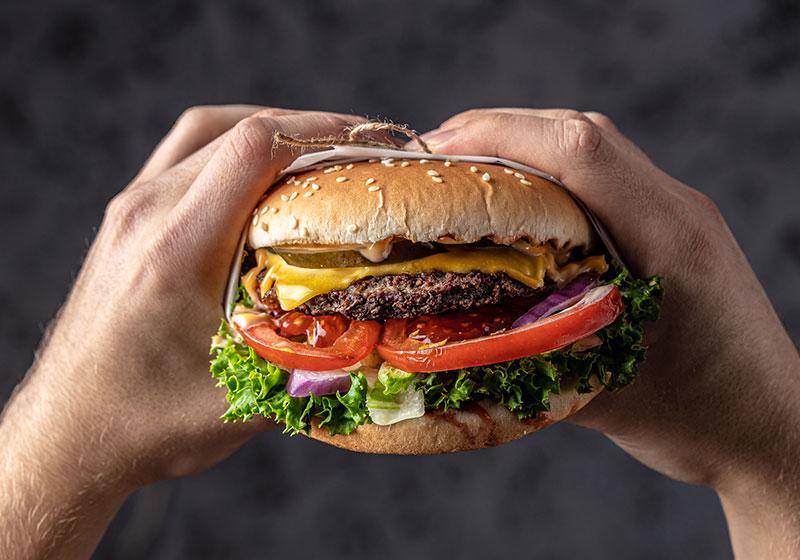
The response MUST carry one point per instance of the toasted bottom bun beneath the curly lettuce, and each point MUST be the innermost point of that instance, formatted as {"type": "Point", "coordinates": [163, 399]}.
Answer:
{"type": "Point", "coordinates": [477, 425]}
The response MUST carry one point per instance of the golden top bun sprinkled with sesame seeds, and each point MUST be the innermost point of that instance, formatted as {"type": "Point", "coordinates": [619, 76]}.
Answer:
{"type": "Point", "coordinates": [420, 200]}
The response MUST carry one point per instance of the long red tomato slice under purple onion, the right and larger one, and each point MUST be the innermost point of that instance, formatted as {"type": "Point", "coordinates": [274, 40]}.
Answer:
{"type": "Point", "coordinates": [598, 309]}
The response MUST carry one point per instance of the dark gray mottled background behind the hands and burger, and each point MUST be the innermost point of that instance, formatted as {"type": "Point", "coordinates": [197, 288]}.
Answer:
{"type": "Point", "coordinates": [709, 89]}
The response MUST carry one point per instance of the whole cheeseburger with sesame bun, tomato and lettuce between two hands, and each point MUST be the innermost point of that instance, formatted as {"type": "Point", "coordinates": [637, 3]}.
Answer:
{"type": "Point", "coordinates": [419, 306]}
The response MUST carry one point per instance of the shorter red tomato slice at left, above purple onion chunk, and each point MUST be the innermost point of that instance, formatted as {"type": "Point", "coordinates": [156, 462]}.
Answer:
{"type": "Point", "coordinates": [331, 342]}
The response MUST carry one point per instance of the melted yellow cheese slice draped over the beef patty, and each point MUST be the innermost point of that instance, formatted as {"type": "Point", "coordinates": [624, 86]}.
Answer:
{"type": "Point", "coordinates": [295, 285]}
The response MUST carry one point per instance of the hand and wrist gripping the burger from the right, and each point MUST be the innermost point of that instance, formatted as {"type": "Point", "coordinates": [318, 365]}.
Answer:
{"type": "Point", "coordinates": [718, 400]}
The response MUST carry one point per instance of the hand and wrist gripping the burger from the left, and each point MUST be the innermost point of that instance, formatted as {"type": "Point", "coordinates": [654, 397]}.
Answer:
{"type": "Point", "coordinates": [120, 394]}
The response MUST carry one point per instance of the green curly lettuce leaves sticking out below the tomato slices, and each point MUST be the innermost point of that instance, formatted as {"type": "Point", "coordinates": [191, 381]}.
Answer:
{"type": "Point", "coordinates": [256, 386]}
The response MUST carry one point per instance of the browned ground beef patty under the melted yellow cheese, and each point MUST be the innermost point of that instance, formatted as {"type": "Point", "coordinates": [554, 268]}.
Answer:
{"type": "Point", "coordinates": [406, 296]}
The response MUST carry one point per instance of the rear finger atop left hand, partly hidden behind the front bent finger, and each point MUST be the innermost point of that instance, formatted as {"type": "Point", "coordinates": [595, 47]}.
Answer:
{"type": "Point", "coordinates": [196, 127]}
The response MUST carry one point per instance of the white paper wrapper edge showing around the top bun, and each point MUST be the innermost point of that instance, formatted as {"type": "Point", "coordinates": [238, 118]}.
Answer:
{"type": "Point", "coordinates": [346, 154]}
